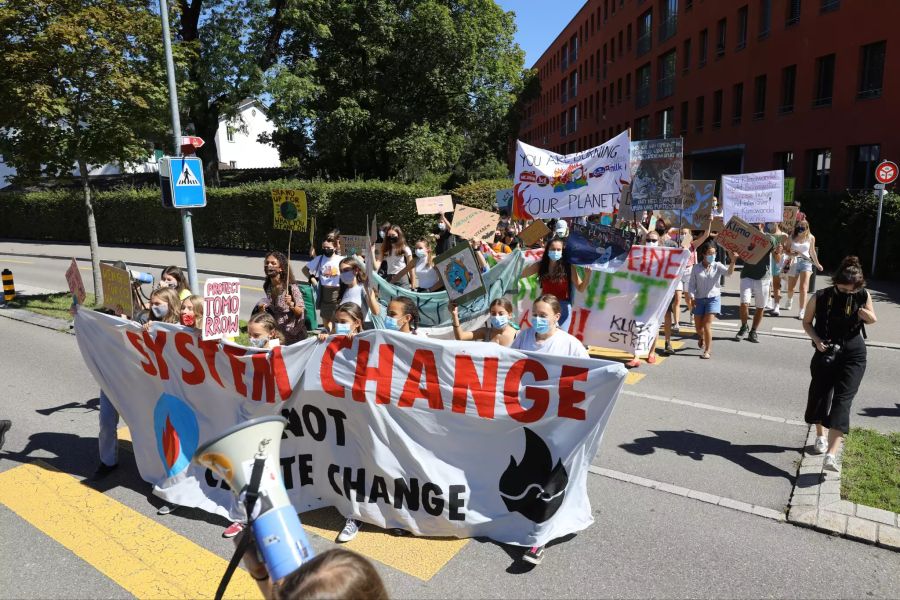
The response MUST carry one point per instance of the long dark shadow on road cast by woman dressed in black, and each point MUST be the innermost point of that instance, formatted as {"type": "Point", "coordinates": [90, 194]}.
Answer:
{"type": "Point", "coordinates": [697, 446]}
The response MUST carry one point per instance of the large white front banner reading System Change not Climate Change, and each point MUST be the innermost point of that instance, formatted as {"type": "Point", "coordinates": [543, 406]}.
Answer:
{"type": "Point", "coordinates": [439, 438]}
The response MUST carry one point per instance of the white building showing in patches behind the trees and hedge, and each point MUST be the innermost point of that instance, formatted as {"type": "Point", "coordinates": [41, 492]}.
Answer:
{"type": "Point", "coordinates": [236, 141]}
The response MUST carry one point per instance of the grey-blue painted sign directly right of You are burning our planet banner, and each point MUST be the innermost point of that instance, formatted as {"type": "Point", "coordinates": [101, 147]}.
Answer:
{"type": "Point", "coordinates": [656, 174]}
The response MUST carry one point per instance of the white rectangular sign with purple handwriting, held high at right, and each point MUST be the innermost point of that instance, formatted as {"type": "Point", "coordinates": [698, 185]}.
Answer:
{"type": "Point", "coordinates": [754, 197]}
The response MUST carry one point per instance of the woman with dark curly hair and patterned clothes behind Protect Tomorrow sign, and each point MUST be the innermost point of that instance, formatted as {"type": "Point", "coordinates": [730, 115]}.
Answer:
{"type": "Point", "coordinates": [284, 300]}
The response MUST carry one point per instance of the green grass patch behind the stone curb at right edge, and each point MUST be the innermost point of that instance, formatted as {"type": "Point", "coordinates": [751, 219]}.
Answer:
{"type": "Point", "coordinates": [870, 474]}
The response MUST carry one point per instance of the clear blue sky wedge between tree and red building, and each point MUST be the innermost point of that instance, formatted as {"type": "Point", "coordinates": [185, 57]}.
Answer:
{"type": "Point", "coordinates": [539, 22]}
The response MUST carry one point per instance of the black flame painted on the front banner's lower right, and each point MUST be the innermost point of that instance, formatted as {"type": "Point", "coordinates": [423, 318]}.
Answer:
{"type": "Point", "coordinates": [534, 487]}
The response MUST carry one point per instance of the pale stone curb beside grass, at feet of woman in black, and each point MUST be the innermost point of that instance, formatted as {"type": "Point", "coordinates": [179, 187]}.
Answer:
{"type": "Point", "coordinates": [816, 503]}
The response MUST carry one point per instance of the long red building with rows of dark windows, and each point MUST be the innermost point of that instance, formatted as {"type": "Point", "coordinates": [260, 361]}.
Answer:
{"type": "Point", "coordinates": [751, 85]}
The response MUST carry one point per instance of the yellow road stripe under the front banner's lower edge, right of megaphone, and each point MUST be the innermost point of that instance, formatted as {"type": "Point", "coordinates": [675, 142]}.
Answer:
{"type": "Point", "coordinates": [419, 557]}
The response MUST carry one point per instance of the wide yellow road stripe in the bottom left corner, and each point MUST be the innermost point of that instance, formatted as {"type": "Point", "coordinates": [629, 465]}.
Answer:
{"type": "Point", "coordinates": [139, 554]}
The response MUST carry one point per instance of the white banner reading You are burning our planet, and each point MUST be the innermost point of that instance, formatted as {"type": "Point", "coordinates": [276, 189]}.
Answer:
{"type": "Point", "coordinates": [547, 184]}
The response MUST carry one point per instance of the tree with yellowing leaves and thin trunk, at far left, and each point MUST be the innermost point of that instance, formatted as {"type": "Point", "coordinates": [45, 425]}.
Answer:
{"type": "Point", "coordinates": [81, 83]}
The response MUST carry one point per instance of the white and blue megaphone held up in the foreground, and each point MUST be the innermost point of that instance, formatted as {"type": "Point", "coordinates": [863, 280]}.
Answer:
{"type": "Point", "coordinates": [248, 456]}
